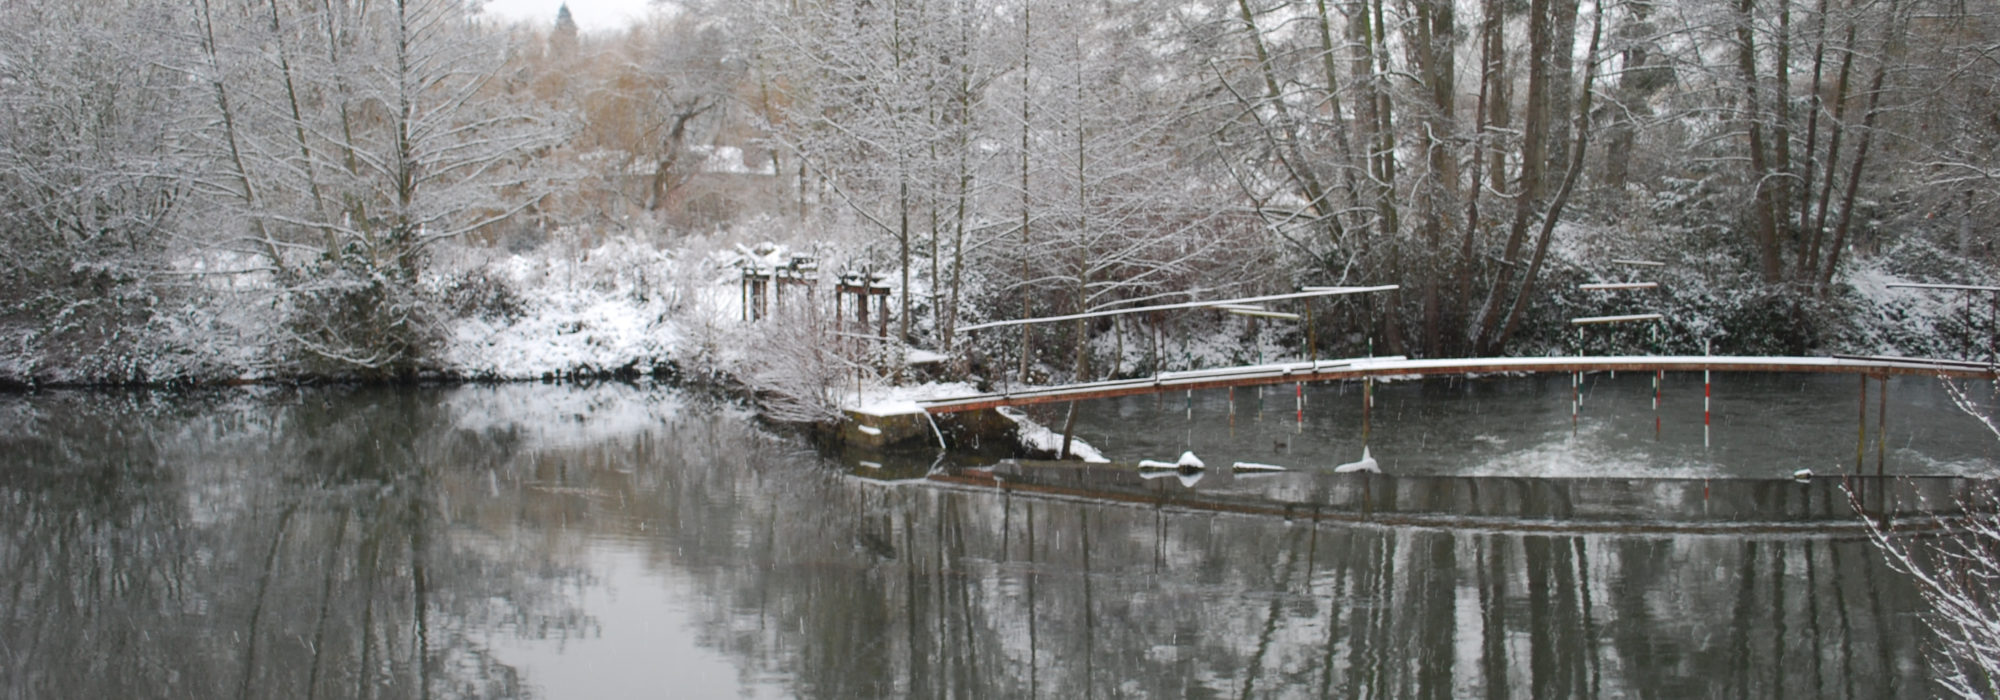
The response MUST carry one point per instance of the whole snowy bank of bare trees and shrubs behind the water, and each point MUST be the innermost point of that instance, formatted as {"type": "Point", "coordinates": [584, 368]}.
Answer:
{"type": "Point", "coordinates": [275, 189]}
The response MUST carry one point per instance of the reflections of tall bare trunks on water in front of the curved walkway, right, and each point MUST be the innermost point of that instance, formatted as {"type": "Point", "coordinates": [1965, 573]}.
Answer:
{"type": "Point", "coordinates": [933, 593]}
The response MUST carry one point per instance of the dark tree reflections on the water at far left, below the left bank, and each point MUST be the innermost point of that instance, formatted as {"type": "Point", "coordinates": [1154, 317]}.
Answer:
{"type": "Point", "coordinates": [287, 545]}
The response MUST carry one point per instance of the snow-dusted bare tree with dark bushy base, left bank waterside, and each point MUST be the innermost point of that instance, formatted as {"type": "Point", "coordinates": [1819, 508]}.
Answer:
{"type": "Point", "coordinates": [351, 139]}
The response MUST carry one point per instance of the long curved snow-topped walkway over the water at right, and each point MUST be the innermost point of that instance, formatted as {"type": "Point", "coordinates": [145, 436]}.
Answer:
{"type": "Point", "coordinates": [1325, 371]}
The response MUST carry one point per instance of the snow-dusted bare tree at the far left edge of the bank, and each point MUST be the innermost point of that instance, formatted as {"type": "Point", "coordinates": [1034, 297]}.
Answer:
{"type": "Point", "coordinates": [93, 185]}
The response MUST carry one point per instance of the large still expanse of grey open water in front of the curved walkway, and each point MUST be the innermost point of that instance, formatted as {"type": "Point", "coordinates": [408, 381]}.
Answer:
{"type": "Point", "coordinates": [639, 543]}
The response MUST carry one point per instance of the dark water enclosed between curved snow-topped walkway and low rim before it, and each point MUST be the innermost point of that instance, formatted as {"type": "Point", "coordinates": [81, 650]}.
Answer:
{"type": "Point", "coordinates": [1761, 425]}
